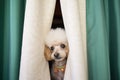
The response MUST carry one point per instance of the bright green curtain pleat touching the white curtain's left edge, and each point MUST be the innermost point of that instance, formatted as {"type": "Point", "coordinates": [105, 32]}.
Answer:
{"type": "Point", "coordinates": [16, 28]}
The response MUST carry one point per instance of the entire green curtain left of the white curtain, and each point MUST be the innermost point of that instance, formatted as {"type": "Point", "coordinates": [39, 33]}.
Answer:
{"type": "Point", "coordinates": [11, 24]}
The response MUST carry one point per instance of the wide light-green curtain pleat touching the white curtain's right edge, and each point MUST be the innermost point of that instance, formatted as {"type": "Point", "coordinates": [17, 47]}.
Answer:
{"type": "Point", "coordinates": [98, 40]}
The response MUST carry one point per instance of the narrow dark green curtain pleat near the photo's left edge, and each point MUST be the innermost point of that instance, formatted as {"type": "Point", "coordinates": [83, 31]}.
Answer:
{"type": "Point", "coordinates": [6, 42]}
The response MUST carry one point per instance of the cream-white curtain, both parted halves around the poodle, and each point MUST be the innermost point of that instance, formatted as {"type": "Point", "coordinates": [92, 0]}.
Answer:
{"type": "Point", "coordinates": [38, 20]}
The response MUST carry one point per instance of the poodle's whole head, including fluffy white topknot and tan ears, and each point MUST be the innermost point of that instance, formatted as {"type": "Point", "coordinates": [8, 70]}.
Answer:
{"type": "Point", "coordinates": [56, 45]}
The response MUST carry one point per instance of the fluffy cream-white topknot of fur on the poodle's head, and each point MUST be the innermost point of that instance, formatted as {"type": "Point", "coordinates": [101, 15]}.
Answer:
{"type": "Point", "coordinates": [56, 36]}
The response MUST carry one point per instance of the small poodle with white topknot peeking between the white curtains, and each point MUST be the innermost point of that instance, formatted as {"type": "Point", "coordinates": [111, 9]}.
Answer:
{"type": "Point", "coordinates": [56, 51]}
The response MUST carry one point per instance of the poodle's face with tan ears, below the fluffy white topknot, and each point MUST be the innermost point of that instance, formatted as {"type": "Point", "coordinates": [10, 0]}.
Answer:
{"type": "Point", "coordinates": [57, 51]}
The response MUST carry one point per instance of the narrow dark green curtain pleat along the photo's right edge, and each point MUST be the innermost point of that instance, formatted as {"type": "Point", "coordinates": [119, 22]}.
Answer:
{"type": "Point", "coordinates": [114, 37]}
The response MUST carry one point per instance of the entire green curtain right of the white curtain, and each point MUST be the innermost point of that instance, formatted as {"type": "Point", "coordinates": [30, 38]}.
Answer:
{"type": "Point", "coordinates": [103, 39]}
